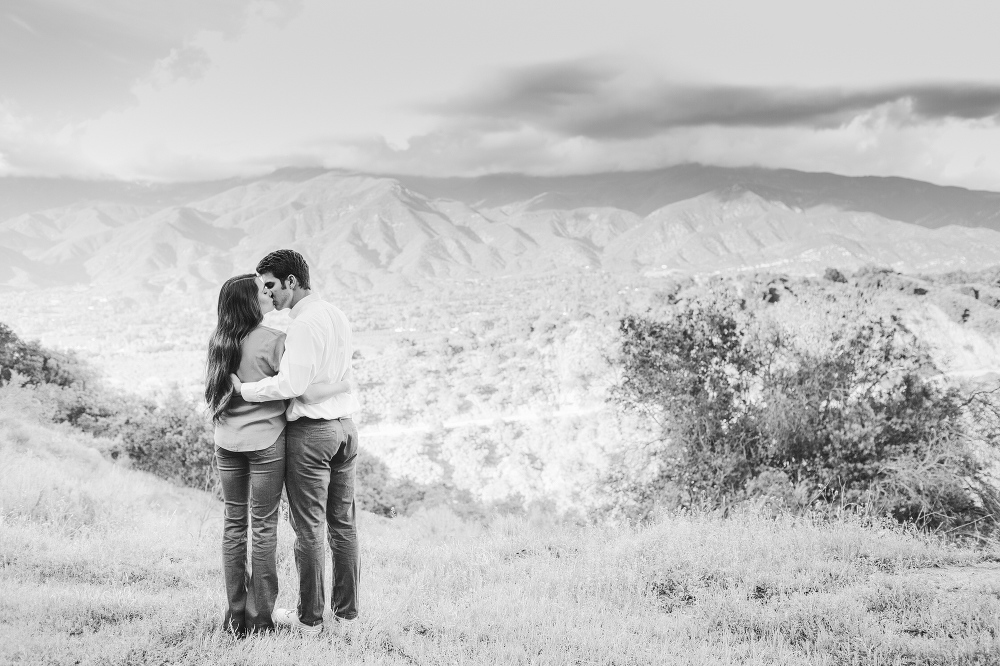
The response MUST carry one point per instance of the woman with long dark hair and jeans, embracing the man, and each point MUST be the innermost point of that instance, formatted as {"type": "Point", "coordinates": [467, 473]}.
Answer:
{"type": "Point", "coordinates": [250, 448]}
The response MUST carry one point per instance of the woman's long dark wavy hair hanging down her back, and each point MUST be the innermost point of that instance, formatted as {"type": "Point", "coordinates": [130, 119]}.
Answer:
{"type": "Point", "coordinates": [239, 313]}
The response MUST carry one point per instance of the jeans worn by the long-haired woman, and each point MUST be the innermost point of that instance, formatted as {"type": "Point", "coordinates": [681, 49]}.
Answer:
{"type": "Point", "coordinates": [251, 480]}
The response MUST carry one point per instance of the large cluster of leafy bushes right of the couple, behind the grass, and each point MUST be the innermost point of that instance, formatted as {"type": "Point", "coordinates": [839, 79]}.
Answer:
{"type": "Point", "coordinates": [748, 410]}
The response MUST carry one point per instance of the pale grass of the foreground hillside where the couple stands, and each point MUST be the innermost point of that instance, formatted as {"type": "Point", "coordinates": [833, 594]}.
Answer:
{"type": "Point", "coordinates": [100, 565]}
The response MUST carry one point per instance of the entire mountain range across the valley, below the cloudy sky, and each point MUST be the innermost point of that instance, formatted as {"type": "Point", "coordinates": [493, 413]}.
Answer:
{"type": "Point", "coordinates": [370, 231]}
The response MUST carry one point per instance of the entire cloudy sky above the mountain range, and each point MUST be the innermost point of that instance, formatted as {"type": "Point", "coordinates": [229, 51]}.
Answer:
{"type": "Point", "coordinates": [195, 89]}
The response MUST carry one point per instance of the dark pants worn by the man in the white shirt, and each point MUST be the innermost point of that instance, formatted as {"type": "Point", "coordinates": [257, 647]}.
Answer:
{"type": "Point", "coordinates": [320, 465]}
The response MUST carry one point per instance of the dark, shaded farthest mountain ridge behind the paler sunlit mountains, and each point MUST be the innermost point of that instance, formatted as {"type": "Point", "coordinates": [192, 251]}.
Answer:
{"type": "Point", "coordinates": [643, 191]}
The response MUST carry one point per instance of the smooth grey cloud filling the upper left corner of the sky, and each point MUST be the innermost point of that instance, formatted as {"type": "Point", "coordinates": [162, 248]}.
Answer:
{"type": "Point", "coordinates": [66, 60]}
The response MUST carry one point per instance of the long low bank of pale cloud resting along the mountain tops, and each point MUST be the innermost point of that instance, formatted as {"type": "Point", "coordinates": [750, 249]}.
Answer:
{"type": "Point", "coordinates": [952, 151]}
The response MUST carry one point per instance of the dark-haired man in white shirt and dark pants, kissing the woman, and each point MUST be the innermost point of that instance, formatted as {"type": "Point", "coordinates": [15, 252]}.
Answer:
{"type": "Point", "coordinates": [321, 442]}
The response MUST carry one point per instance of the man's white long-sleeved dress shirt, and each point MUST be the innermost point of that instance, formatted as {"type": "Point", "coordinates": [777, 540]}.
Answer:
{"type": "Point", "coordinates": [318, 349]}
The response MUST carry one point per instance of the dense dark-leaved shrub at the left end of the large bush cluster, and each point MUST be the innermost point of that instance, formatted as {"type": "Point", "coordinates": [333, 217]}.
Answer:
{"type": "Point", "coordinates": [694, 373]}
